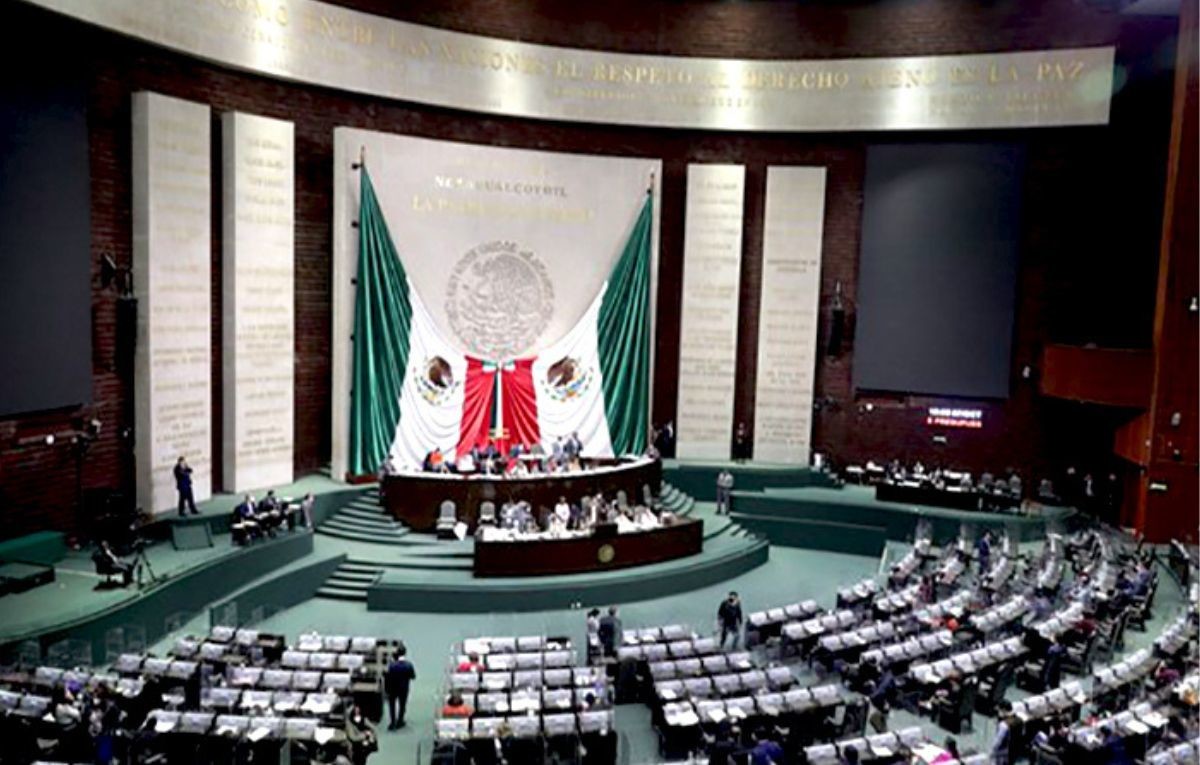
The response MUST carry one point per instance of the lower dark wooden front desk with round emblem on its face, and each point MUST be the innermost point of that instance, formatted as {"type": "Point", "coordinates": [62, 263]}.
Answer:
{"type": "Point", "coordinates": [595, 552]}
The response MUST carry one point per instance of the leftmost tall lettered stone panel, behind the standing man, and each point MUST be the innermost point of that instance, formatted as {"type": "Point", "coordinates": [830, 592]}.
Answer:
{"type": "Point", "coordinates": [172, 281]}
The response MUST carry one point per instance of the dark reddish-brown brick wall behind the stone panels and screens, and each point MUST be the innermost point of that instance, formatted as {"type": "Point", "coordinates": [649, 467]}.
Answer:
{"type": "Point", "coordinates": [1090, 236]}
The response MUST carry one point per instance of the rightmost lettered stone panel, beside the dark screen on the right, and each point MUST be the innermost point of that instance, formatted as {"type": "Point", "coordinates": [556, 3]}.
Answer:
{"type": "Point", "coordinates": [788, 320]}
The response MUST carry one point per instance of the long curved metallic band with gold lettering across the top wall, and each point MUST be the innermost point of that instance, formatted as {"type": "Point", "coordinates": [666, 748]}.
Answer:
{"type": "Point", "coordinates": [333, 47]}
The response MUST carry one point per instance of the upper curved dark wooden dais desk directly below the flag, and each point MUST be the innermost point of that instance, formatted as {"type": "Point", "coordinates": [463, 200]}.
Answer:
{"type": "Point", "coordinates": [416, 498]}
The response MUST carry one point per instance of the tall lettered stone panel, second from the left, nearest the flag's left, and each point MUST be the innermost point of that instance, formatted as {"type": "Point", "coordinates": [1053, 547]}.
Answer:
{"type": "Point", "coordinates": [259, 317]}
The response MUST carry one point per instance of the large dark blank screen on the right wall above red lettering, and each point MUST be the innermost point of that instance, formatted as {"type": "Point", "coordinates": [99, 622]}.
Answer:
{"type": "Point", "coordinates": [938, 270]}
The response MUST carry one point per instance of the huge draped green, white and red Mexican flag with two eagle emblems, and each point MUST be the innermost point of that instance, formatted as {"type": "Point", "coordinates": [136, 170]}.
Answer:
{"type": "Point", "coordinates": [413, 391]}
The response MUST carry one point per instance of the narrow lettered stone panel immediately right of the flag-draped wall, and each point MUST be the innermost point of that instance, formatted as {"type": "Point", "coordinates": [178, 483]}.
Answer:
{"type": "Point", "coordinates": [709, 322]}
